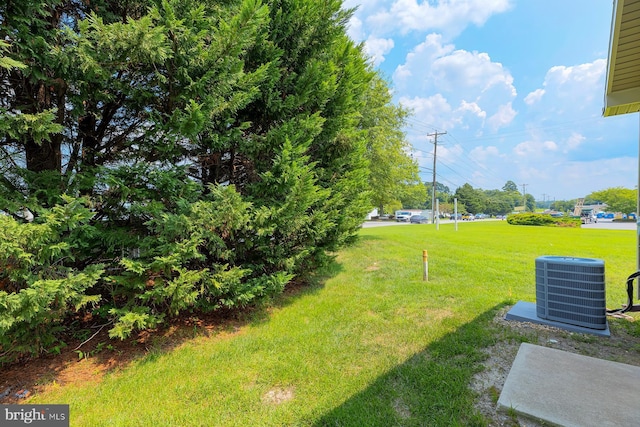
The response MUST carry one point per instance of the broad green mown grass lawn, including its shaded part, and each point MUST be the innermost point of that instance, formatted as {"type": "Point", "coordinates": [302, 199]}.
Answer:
{"type": "Point", "coordinates": [371, 344]}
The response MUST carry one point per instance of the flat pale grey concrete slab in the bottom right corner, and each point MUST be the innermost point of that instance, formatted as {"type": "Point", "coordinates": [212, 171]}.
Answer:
{"type": "Point", "coordinates": [571, 390]}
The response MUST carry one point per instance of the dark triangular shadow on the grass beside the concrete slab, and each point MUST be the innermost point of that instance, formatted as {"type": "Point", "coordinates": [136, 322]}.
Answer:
{"type": "Point", "coordinates": [432, 388]}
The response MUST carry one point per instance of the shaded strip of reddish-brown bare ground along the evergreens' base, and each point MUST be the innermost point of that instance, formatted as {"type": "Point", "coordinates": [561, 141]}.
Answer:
{"type": "Point", "coordinates": [81, 362]}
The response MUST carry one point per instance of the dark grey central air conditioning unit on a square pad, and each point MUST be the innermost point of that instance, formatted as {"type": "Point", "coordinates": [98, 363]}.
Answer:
{"type": "Point", "coordinates": [571, 290]}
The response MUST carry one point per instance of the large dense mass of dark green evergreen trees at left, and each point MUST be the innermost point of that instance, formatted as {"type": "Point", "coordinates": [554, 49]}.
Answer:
{"type": "Point", "coordinates": [176, 155]}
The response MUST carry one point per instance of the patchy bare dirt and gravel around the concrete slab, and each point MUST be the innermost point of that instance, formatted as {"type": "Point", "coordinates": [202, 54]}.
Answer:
{"type": "Point", "coordinates": [622, 346]}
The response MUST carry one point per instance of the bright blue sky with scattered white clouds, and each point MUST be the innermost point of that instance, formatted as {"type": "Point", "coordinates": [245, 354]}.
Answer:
{"type": "Point", "coordinates": [517, 85]}
